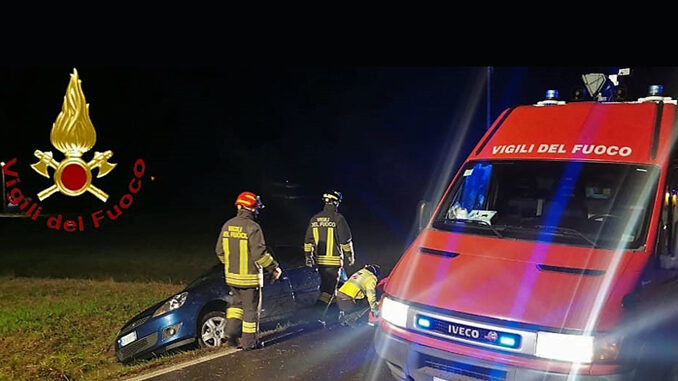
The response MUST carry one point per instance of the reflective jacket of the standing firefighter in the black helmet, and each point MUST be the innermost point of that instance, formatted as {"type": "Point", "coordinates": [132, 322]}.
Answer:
{"type": "Point", "coordinates": [328, 239]}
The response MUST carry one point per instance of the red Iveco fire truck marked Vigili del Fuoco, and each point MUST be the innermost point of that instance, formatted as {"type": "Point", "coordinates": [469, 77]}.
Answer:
{"type": "Point", "coordinates": [552, 254]}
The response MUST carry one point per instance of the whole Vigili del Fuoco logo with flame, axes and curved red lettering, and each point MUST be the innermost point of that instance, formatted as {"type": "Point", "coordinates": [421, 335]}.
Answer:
{"type": "Point", "coordinates": [73, 134]}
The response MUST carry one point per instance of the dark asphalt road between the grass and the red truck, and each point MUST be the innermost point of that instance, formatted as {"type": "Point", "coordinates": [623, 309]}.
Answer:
{"type": "Point", "coordinates": [331, 354]}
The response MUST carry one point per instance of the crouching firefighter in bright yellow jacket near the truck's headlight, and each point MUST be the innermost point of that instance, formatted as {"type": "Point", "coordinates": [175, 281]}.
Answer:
{"type": "Point", "coordinates": [360, 286]}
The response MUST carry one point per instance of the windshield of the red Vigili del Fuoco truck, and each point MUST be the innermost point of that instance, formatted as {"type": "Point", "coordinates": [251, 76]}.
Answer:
{"type": "Point", "coordinates": [602, 205]}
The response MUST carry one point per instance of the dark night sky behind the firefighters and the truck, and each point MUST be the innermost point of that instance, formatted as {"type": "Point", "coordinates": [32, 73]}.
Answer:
{"type": "Point", "coordinates": [380, 135]}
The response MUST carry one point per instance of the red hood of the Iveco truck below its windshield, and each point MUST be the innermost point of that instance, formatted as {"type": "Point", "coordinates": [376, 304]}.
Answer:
{"type": "Point", "coordinates": [523, 281]}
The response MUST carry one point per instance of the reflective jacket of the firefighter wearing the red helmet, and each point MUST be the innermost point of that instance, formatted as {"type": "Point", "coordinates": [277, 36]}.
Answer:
{"type": "Point", "coordinates": [242, 249]}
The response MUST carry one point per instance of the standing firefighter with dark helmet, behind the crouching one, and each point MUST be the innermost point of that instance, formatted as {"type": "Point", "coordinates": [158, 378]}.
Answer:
{"type": "Point", "coordinates": [327, 243]}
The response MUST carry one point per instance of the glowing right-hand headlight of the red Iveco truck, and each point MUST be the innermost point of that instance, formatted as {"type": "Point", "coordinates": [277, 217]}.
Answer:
{"type": "Point", "coordinates": [558, 346]}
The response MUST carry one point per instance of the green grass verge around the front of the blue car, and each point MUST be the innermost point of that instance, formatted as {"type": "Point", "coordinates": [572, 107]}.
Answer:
{"type": "Point", "coordinates": [64, 329]}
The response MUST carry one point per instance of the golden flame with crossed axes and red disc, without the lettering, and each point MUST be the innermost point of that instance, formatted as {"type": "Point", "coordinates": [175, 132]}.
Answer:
{"type": "Point", "coordinates": [73, 134]}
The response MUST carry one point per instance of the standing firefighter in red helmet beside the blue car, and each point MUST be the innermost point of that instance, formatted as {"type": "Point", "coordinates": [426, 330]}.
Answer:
{"type": "Point", "coordinates": [242, 249]}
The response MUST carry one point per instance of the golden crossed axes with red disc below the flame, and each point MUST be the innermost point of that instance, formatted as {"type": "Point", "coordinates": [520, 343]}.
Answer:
{"type": "Point", "coordinates": [73, 176]}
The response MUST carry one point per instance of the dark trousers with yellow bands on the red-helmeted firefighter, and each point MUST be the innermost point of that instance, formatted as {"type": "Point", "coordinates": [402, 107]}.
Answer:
{"type": "Point", "coordinates": [243, 315]}
